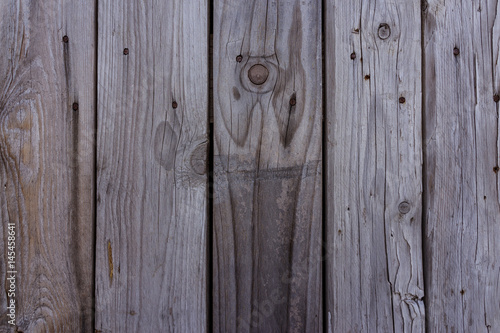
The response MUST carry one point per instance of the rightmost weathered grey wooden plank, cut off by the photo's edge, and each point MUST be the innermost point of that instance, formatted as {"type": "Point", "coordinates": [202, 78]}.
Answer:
{"type": "Point", "coordinates": [462, 205]}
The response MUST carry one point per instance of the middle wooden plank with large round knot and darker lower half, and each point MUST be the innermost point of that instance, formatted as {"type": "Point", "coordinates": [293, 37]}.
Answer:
{"type": "Point", "coordinates": [267, 166]}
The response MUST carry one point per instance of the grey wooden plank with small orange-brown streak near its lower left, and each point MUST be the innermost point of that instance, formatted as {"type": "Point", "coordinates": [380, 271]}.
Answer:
{"type": "Point", "coordinates": [151, 187]}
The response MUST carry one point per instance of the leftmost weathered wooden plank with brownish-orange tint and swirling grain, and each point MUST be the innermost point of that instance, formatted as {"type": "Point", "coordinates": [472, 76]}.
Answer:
{"type": "Point", "coordinates": [47, 163]}
